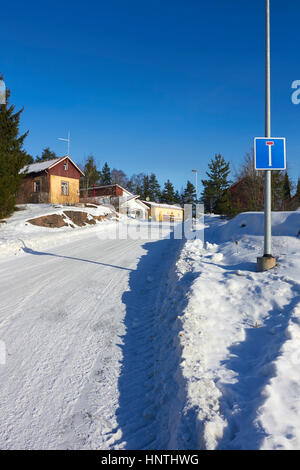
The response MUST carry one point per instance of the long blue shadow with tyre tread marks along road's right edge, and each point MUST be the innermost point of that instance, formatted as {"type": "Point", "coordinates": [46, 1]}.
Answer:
{"type": "Point", "coordinates": [143, 412]}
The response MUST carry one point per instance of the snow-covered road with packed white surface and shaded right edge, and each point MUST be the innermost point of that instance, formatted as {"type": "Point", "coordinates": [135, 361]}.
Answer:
{"type": "Point", "coordinates": [77, 322]}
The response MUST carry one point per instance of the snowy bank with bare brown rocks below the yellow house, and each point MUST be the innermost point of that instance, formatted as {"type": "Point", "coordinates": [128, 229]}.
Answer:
{"type": "Point", "coordinates": [41, 225]}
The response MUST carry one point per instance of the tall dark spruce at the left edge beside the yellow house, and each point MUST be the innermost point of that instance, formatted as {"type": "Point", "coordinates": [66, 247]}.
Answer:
{"type": "Point", "coordinates": [12, 155]}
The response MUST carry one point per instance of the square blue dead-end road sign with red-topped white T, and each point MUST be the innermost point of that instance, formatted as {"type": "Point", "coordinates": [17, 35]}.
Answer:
{"type": "Point", "coordinates": [270, 154]}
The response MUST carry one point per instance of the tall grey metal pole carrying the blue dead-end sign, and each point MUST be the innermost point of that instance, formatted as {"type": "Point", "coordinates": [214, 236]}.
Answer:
{"type": "Point", "coordinates": [268, 174]}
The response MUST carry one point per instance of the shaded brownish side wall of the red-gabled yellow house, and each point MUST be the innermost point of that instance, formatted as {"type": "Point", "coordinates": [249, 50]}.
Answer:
{"type": "Point", "coordinates": [26, 194]}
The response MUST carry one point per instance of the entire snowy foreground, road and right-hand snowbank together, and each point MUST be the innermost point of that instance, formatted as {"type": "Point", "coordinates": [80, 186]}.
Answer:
{"type": "Point", "coordinates": [119, 344]}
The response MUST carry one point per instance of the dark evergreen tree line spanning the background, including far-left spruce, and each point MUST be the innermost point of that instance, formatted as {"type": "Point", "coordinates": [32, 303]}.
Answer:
{"type": "Point", "coordinates": [220, 195]}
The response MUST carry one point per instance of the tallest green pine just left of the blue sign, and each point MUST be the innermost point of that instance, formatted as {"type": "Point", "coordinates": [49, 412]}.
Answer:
{"type": "Point", "coordinates": [216, 184]}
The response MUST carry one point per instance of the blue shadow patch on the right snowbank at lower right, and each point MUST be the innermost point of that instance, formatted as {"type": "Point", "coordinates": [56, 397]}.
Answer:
{"type": "Point", "coordinates": [253, 362]}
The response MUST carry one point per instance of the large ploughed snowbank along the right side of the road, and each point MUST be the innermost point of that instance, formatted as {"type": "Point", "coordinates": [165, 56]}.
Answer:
{"type": "Point", "coordinates": [240, 339]}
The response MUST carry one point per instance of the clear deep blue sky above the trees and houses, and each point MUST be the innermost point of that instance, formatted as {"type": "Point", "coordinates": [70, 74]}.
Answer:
{"type": "Point", "coordinates": [151, 85]}
